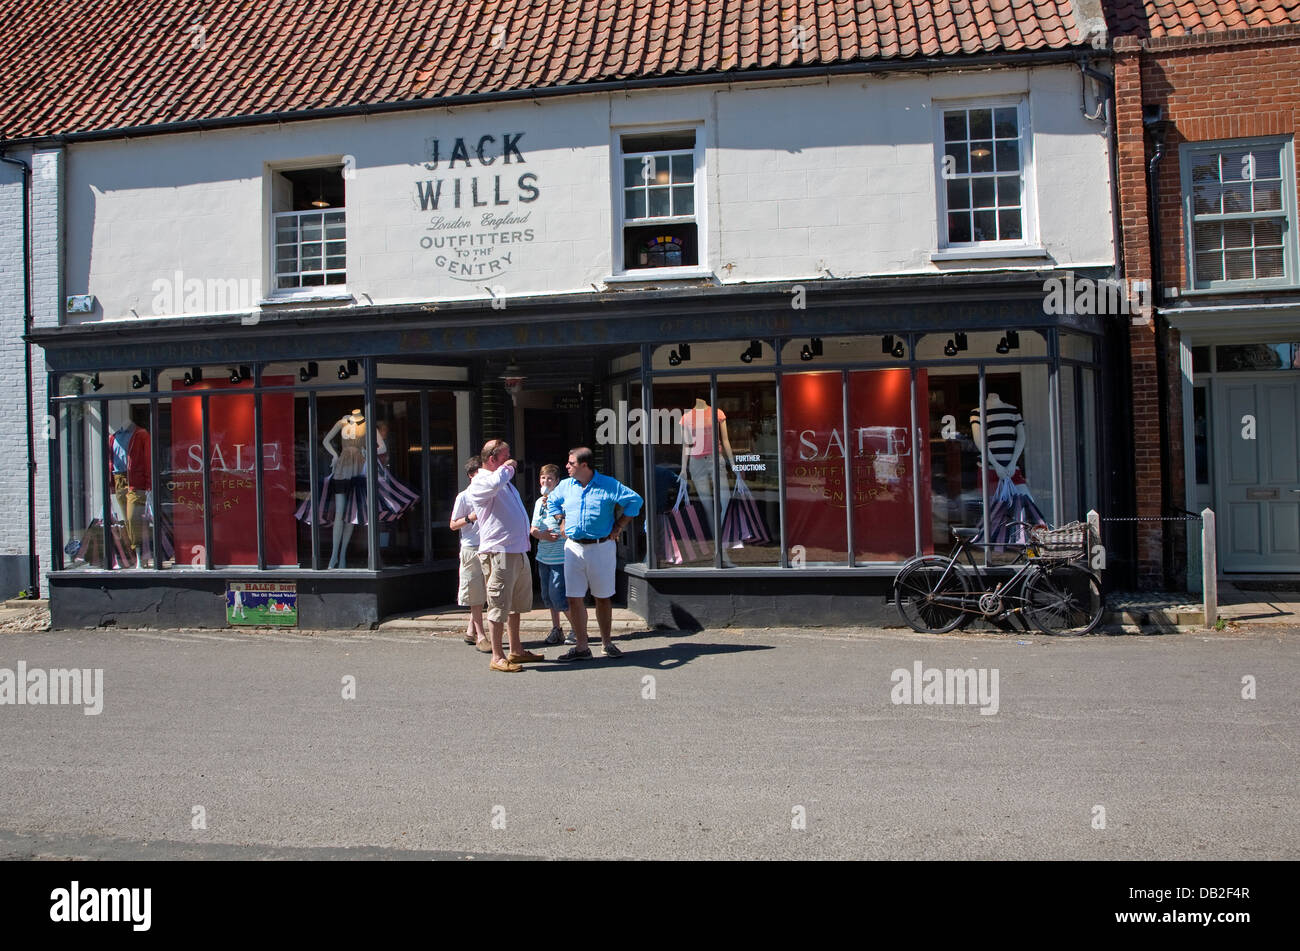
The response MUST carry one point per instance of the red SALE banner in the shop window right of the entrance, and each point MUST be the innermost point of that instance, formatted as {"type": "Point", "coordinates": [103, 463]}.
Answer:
{"type": "Point", "coordinates": [879, 446]}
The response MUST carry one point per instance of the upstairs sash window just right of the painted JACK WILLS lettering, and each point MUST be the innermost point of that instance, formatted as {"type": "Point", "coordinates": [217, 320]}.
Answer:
{"type": "Point", "coordinates": [661, 193]}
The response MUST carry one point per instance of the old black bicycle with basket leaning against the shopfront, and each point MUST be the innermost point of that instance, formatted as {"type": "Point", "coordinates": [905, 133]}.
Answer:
{"type": "Point", "coordinates": [1048, 590]}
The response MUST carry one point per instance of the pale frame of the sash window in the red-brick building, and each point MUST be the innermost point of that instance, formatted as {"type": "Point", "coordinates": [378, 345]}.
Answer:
{"type": "Point", "coordinates": [1292, 223]}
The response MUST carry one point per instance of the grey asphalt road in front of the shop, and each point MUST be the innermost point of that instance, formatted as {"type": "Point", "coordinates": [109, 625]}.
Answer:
{"type": "Point", "coordinates": [440, 758]}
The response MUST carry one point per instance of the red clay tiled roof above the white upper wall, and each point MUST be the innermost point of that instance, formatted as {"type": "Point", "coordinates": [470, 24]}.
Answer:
{"type": "Point", "coordinates": [81, 66]}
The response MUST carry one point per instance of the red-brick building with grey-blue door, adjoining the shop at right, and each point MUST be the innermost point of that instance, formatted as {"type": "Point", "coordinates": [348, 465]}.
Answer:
{"type": "Point", "coordinates": [1208, 111]}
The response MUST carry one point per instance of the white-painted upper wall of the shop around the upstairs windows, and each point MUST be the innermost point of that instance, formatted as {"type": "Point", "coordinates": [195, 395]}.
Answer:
{"type": "Point", "coordinates": [803, 181]}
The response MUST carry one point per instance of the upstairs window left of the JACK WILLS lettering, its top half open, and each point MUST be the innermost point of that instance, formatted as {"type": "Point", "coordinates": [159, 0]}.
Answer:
{"type": "Point", "coordinates": [309, 229]}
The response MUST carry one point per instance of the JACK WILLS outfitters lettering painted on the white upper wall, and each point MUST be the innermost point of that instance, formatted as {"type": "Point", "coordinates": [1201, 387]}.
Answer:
{"type": "Point", "coordinates": [479, 205]}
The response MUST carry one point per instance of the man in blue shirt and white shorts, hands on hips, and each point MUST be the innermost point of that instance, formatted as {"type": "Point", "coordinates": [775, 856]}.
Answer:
{"type": "Point", "coordinates": [586, 506]}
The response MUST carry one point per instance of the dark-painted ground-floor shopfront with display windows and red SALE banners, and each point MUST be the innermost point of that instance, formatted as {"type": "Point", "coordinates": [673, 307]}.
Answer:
{"type": "Point", "coordinates": [795, 445]}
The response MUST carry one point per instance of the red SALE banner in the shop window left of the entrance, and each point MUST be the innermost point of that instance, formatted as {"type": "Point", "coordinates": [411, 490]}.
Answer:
{"type": "Point", "coordinates": [231, 454]}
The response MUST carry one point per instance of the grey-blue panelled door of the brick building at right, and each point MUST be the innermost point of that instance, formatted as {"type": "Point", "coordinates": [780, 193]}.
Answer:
{"type": "Point", "coordinates": [1258, 437]}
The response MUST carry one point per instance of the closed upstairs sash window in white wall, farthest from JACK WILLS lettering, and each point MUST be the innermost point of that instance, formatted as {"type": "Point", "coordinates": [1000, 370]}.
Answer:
{"type": "Point", "coordinates": [982, 170]}
